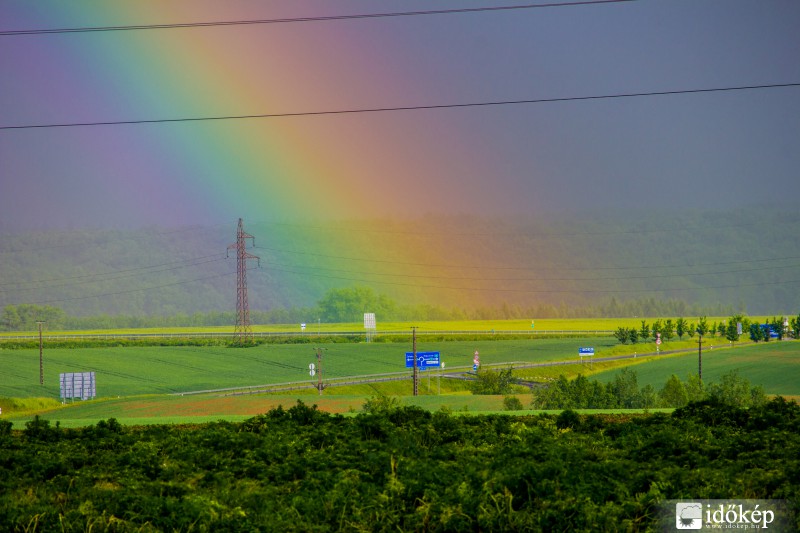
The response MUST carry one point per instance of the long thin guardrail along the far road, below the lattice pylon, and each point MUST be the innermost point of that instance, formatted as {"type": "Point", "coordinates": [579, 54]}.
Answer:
{"type": "Point", "coordinates": [268, 334]}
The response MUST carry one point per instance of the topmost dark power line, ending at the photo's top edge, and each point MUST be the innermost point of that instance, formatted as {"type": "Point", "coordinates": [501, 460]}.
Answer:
{"type": "Point", "coordinates": [329, 18]}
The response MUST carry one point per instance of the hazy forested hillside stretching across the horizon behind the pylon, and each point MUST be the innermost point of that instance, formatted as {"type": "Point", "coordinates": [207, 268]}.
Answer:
{"type": "Point", "coordinates": [688, 263]}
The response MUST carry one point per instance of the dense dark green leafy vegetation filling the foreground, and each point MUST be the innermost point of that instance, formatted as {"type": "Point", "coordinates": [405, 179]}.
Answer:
{"type": "Point", "coordinates": [395, 468]}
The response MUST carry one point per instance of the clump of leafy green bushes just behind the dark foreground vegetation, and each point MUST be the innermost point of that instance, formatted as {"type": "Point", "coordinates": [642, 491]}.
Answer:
{"type": "Point", "coordinates": [624, 392]}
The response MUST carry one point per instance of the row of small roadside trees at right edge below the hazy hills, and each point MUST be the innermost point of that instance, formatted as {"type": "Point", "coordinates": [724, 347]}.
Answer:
{"type": "Point", "coordinates": [668, 329]}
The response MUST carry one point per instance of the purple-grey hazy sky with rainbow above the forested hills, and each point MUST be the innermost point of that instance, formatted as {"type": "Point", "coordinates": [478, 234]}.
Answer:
{"type": "Point", "coordinates": [712, 149]}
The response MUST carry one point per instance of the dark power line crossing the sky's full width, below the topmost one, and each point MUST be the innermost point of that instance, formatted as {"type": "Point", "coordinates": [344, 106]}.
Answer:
{"type": "Point", "coordinates": [400, 108]}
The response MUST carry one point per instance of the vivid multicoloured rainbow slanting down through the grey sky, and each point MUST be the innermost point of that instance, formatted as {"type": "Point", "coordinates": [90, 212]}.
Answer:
{"type": "Point", "coordinates": [314, 169]}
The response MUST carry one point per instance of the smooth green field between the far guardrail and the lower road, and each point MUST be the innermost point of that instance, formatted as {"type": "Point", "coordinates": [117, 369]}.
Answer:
{"type": "Point", "coordinates": [156, 370]}
